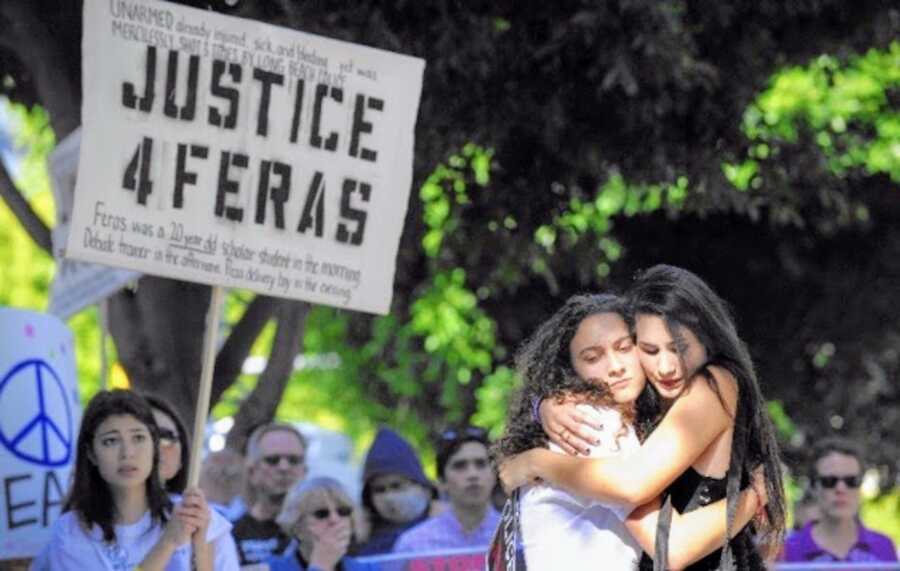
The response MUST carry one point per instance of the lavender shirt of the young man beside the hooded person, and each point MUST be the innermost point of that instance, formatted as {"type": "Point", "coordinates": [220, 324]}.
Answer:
{"type": "Point", "coordinates": [444, 531]}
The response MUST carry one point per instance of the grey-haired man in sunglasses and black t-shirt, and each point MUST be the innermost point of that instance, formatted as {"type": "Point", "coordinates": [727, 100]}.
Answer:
{"type": "Point", "coordinates": [275, 462]}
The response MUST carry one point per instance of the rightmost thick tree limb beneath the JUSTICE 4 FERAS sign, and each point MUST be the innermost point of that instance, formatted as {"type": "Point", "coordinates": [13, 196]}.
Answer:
{"type": "Point", "coordinates": [263, 401]}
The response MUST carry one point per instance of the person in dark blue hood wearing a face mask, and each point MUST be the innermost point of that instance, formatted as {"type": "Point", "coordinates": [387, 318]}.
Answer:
{"type": "Point", "coordinates": [396, 493]}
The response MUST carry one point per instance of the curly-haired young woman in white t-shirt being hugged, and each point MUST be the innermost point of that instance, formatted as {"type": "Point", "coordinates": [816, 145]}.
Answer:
{"type": "Point", "coordinates": [585, 351]}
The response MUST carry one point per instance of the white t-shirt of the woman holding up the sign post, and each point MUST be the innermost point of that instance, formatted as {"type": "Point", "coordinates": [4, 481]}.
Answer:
{"type": "Point", "coordinates": [71, 548]}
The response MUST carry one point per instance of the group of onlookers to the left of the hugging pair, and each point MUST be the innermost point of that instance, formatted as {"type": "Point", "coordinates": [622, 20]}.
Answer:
{"type": "Point", "coordinates": [129, 508]}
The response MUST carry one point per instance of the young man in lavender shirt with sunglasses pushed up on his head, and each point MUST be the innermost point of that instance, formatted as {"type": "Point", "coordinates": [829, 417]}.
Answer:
{"type": "Point", "coordinates": [467, 478]}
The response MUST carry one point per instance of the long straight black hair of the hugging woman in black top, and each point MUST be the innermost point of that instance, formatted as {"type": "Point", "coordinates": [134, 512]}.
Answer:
{"type": "Point", "coordinates": [682, 299]}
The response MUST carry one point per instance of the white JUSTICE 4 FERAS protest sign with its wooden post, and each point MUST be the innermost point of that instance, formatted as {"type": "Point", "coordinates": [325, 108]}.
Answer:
{"type": "Point", "coordinates": [238, 154]}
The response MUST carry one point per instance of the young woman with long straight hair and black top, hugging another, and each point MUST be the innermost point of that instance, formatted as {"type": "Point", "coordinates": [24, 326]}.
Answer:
{"type": "Point", "coordinates": [712, 435]}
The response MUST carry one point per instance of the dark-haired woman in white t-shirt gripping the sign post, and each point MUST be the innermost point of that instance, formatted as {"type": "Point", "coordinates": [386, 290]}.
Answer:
{"type": "Point", "coordinates": [118, 516]}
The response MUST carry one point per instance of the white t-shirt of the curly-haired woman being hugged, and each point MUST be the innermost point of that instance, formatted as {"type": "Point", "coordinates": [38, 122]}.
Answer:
{"type": "Point", "coordinates": [561, 530]}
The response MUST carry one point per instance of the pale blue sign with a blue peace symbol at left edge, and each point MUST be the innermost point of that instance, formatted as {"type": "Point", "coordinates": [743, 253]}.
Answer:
{"type": "Point", "coordinates": [38, 427]}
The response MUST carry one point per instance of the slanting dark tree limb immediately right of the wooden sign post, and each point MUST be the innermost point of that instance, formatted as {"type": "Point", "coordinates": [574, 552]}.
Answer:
{"type": "Point", "coordinates": [234, 351]}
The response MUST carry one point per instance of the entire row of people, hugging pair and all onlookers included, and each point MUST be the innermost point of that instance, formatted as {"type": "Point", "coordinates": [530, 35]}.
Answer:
{"type": "Point", "coordinates": [638, 439]}
